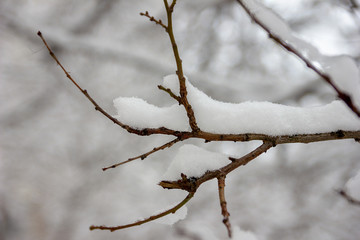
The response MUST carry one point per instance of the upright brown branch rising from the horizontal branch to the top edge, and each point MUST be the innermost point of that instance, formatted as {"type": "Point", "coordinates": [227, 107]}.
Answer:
{"type": "Point", "coordinates": [180, 73]}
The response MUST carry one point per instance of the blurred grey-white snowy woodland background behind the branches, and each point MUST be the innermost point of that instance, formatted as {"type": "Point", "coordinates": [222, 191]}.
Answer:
{"type": "Point", "coordinates": [53, 144]}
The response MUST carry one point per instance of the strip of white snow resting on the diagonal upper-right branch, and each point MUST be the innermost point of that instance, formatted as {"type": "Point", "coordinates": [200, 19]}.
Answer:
{"type": "Point", "coordinates": [342, 69]}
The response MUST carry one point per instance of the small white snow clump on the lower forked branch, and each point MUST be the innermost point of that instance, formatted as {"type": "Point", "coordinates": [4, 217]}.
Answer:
{"type": "Point", "coordinates": [194, 161]}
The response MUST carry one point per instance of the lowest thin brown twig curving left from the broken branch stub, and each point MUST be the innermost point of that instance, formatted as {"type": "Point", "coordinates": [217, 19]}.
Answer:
{"type": "Point", "coordinates": [152, 218]}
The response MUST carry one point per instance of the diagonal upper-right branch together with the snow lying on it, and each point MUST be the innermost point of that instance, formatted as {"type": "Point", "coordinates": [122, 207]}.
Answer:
{"type": "Point", "coordinates": [340, 72]}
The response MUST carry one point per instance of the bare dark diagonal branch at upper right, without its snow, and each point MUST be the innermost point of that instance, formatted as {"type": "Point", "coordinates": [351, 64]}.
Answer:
{"type": "Point", "coordinates": [342, 95]}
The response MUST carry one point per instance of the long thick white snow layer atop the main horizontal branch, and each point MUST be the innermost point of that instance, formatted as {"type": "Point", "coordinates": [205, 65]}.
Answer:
{"type": "Point", "coordinates": [246, 117]}
